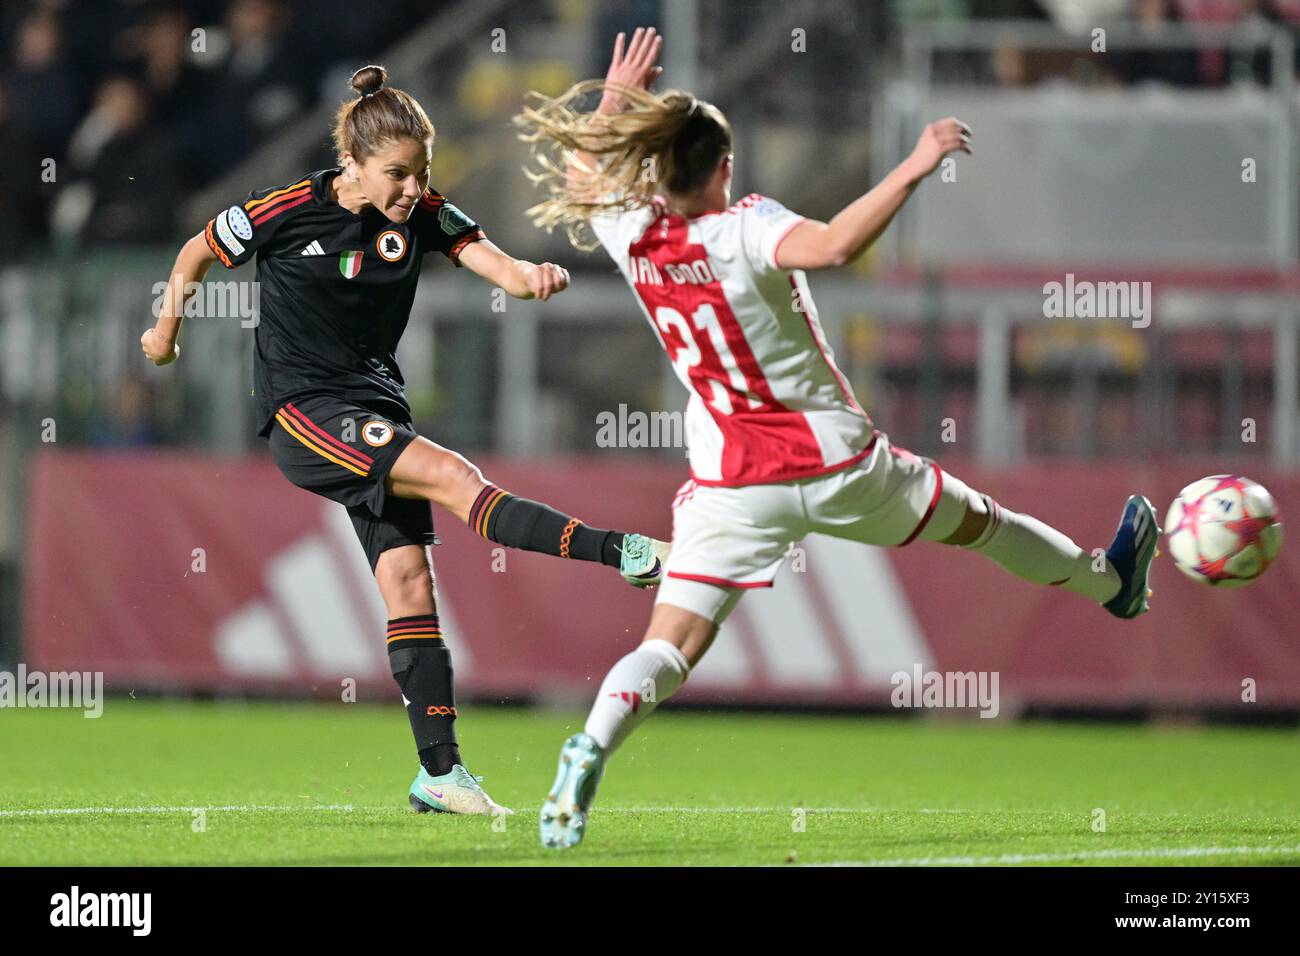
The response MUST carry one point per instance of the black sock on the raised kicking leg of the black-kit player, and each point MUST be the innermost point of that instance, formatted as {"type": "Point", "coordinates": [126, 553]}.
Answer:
{"type": "Point", "coordinates": [501, 517]}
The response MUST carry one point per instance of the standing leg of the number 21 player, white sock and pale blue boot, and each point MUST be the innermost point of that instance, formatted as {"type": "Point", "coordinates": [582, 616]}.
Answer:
{"type": "Point", "coordinates": [674, 643]}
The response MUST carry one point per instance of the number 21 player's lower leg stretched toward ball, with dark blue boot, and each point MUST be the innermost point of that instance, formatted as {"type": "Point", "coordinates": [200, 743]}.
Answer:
{"type": "Point", "coordinates": [1039, 553]}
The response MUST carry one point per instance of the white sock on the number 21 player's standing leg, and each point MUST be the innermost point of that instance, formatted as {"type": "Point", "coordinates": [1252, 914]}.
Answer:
{"type": "Point", "coordinates": [634, 689]}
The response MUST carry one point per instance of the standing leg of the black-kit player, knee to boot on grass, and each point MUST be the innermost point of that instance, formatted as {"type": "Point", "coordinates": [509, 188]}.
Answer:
{"type": "Point", "coordinates": [422, 665]}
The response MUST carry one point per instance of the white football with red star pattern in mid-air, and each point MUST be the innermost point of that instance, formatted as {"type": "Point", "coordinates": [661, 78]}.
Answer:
{"type": "Point", "coordinates": [1224, 531]}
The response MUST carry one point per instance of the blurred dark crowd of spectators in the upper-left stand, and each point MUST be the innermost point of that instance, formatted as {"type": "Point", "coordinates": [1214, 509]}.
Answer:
{"type": "Point", "coordinates": [111, 90]}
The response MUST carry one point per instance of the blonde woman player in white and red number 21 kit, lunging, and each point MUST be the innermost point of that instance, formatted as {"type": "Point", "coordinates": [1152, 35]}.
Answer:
{"type": "Point", "coordinates": [779, 447]}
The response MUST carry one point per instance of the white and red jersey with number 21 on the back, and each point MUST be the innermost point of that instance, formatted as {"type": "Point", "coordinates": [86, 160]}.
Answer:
{"type": "Point", "coordinates": [768, 403]}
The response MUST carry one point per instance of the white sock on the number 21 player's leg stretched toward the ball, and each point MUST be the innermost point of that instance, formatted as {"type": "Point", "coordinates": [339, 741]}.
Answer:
{"type": "Point", "coordinates": [1039, 553]}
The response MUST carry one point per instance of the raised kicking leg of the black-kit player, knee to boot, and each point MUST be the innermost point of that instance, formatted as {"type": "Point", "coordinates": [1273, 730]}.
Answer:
{"type": "Point", "coordinates": [430, 471]}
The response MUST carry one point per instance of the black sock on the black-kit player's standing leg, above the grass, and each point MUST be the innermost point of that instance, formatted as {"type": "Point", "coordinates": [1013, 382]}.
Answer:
{"type": "Point", "coordinates": [422, 665]}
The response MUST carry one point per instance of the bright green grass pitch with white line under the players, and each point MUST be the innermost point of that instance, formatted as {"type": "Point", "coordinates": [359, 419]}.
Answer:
{"type": "Point", "coordinates": [690, 789]}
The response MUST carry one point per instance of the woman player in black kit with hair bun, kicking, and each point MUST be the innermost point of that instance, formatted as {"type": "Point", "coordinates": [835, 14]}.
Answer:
{"type": "Point", "coordinates": [339, 259]}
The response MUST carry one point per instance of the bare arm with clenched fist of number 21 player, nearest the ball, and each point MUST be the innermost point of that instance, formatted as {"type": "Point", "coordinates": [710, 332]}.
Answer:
{"type": "Point", "coordinates": [814, 245]}
